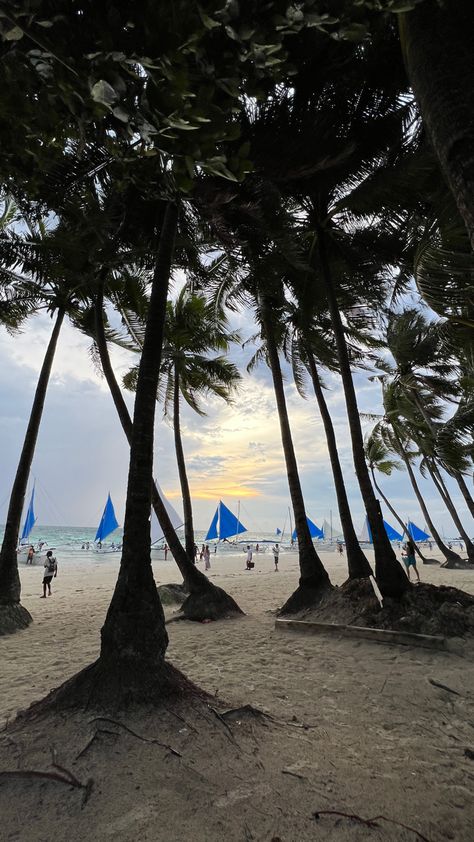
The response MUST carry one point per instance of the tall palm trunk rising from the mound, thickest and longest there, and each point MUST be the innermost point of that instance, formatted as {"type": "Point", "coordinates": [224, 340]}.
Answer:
{"type": "Point", "coordinates": [391, 578]}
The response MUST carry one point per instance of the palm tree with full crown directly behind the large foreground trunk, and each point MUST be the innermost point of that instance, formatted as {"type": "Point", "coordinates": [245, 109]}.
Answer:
{"type": "Point", "coordinates": [194, 327]}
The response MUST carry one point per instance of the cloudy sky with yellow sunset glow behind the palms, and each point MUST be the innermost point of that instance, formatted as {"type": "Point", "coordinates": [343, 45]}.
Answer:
{"type": "Point", "coordinates": [234, 453]}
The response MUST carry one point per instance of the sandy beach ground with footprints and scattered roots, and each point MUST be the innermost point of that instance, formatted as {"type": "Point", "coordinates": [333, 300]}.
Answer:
{"type": "Point", "coordinates": [353, 726]}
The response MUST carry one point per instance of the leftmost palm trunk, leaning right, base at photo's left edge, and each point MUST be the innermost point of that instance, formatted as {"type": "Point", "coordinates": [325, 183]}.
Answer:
{"type": "Point", "coordinates": [14, 616]}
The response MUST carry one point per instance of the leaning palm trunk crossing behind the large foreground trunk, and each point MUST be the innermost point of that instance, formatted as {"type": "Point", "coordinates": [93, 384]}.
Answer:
{"type": "Point", "coordinates": [206, 600]}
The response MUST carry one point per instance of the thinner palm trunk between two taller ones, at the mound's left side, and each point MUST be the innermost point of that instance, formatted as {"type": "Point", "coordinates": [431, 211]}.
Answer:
{"type": "Point", "coordinates": [358, 565]}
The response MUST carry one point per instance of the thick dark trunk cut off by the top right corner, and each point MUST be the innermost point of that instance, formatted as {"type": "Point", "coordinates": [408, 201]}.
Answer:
{"type": "Point", "coordinates": [437, 44]}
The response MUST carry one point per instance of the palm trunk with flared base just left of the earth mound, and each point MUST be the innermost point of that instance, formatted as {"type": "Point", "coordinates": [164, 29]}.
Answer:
{"type": "Point", "coordinates": [314, 580]}
